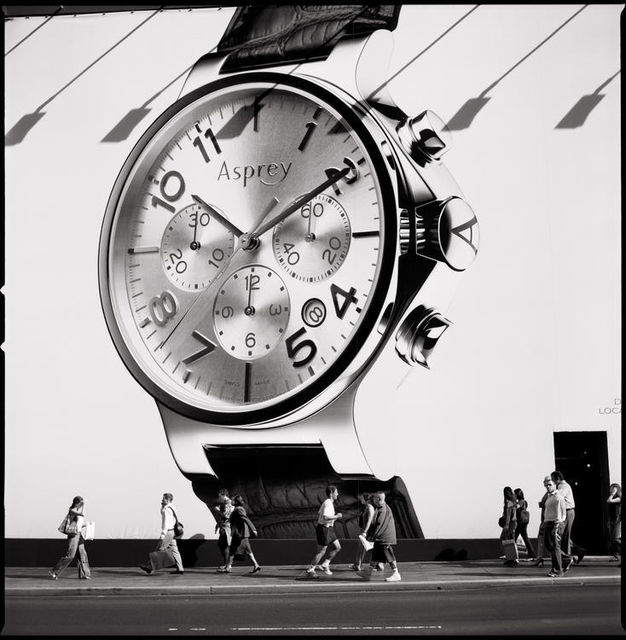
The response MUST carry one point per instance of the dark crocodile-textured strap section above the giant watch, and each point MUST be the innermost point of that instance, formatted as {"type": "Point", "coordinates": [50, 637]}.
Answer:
{"type": "Point", "coordinates": [258, 36]}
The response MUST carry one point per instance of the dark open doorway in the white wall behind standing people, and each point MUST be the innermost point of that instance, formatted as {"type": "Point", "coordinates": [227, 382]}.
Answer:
{"type": "Point", "coordinates": [582, 457]}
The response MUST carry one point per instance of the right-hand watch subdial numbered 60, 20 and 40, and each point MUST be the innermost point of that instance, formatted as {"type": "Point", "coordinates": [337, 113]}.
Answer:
{"type": "Point", "coordinates": [313, 242]}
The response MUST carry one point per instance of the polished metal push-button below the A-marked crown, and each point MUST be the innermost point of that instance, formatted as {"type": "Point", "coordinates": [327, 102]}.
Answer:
{"type": "Point", "coordinates": [418, 335]}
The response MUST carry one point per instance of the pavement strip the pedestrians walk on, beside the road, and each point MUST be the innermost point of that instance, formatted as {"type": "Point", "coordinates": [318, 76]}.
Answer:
{"type": "Point", "coordinates": [33, 581]}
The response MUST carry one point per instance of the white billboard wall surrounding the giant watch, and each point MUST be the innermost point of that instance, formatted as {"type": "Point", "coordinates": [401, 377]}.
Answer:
{"type": "Point", "coordinates": [536, 342]}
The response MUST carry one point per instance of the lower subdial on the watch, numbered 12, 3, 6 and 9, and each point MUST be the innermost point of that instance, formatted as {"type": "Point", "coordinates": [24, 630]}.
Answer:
{"type": "Point", "coordinates": [251, 312]}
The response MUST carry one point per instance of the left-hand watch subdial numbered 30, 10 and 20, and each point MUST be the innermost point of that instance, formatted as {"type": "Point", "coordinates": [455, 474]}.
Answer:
{"type": "Point", "coordinates": [194, 248]}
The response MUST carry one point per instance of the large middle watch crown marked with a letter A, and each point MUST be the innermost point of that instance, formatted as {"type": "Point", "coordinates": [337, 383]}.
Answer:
{"type": "Point", "coordinates": [447, 231]}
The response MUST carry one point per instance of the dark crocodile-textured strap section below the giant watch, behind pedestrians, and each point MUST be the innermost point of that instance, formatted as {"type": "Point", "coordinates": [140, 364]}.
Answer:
{"type": "Point", "coordinates": [283, 487]}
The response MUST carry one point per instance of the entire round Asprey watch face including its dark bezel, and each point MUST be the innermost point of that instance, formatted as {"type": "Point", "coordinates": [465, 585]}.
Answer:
{"type": "Point", "coordinates": [247, 246]}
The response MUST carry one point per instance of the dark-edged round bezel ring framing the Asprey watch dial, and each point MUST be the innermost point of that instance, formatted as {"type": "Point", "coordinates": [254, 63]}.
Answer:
{"type": "Point", "coordinates": [371, 136]}
